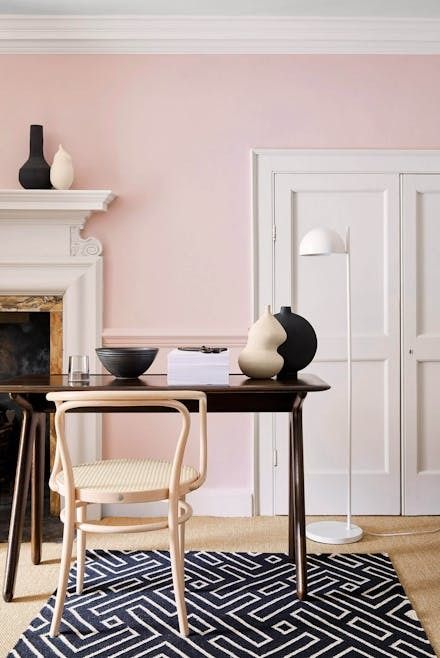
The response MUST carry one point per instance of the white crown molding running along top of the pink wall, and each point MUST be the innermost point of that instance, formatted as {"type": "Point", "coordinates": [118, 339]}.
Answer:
{"type": "Point", "coordinates": [217, 34]}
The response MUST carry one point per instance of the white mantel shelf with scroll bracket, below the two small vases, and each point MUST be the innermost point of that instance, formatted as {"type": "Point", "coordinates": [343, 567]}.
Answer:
{"type": "Point", "coordinates": [41, 223]}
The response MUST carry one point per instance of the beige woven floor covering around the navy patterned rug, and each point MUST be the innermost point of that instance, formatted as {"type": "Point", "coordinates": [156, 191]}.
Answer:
{"type": "Point", "coordinates": [415, 558]}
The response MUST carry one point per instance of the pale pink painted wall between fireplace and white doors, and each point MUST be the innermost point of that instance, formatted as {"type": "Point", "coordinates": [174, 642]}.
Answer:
{"type": "Point", "coordinates": [171, 136]}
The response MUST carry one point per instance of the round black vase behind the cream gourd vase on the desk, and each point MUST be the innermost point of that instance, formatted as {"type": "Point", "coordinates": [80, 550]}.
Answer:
{"type": "Point", "coordinates": [300, 347]}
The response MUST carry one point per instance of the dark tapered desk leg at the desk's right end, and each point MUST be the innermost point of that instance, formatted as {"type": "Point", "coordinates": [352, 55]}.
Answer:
{"type": "Point", "coordinates": [299, 521]}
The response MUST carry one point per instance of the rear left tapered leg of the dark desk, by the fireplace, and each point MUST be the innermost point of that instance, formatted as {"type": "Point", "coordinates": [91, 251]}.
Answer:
{"type": "Point", "coordinates": [37, 493]}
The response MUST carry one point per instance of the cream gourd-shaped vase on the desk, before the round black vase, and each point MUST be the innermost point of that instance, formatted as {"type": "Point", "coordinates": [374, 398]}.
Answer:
{"type": "Point", "coordinates": [260, 359]}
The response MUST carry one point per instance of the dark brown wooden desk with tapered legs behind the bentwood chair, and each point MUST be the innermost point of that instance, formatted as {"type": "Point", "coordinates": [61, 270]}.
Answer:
{"type": "Point", "coordinates": [240, 395]}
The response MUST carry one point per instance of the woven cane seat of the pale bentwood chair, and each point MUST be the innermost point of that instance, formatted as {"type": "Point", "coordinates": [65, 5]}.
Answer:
{"type": "Point", "coordinates": [126, 480]}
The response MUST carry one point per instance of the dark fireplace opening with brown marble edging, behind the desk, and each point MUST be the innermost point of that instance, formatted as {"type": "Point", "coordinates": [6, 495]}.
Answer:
{"type": "Point", "coordinates": [28, 342]}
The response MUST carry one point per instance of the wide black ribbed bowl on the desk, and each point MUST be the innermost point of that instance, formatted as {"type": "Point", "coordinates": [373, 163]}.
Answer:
{"type": "Point", "coordinates": [126, 362]}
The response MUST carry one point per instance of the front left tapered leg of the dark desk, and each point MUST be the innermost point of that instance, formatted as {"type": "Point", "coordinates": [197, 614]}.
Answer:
{"type": "Point", "coordinates": [19, 499]}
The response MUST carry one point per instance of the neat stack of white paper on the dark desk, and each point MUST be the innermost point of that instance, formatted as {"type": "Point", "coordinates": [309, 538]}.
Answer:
{"type": "Point", "coordinates": [187, 368]}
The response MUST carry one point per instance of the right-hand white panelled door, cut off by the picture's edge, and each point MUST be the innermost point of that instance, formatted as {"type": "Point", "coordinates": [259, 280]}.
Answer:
{"type": "Point", "coordinates": [421, 342]}
